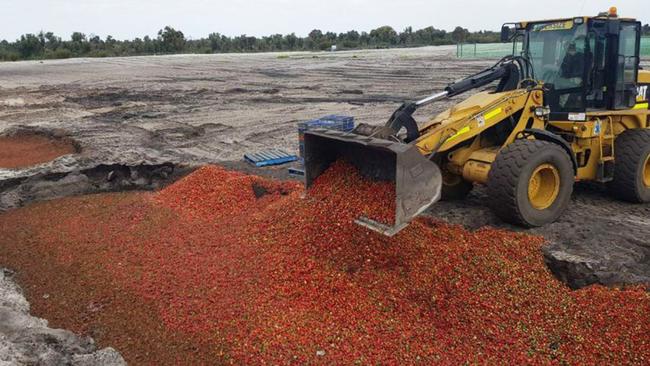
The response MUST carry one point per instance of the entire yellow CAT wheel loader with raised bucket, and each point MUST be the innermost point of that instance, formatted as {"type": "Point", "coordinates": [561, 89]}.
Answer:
{"type": "Point", "coordinates": [570, 104]}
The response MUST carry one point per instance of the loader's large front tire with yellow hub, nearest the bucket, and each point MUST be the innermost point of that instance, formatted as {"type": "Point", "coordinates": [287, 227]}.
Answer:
{"type": "Point", "coordinates": [530, 183]}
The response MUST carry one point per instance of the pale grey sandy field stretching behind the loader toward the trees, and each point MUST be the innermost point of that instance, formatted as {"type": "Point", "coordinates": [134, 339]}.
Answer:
{"type": "Point", "coordinates": [215, 107]}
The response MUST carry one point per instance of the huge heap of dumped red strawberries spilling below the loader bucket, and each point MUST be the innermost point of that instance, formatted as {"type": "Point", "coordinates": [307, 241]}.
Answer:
{"type": "Point", "coordinates": [260, 272]}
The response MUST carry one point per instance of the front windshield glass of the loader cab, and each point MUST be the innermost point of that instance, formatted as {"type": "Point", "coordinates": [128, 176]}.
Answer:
{"type": "Point", "coordinates": [557, 52]}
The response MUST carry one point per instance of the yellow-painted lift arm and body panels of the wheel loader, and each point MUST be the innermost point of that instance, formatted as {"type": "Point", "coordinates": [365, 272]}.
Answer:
{"type": "Point", "coordinates": [467, 120]}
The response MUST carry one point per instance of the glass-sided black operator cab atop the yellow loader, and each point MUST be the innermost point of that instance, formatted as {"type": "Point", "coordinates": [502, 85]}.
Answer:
{"type": "Point", "coordinates": [584, 63]}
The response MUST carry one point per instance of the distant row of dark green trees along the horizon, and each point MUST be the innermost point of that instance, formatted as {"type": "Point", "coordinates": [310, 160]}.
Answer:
{"type": "Point", "coordinates": [47, 45]}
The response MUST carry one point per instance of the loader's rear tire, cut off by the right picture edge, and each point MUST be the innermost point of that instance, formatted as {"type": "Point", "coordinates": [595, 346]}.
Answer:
{"type": "Point", "coordinates": [632, 166]}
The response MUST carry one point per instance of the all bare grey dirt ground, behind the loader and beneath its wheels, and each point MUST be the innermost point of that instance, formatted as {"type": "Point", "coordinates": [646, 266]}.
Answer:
{"type": "Point", "coordinates": [195, 109]}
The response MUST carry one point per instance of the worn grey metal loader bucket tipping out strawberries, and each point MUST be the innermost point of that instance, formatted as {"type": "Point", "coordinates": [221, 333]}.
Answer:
{"type": "Point", "coordinates": [417, 180]}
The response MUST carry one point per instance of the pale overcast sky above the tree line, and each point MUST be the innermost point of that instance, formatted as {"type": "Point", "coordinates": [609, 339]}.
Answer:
{"type": "Point", "coordinates": [126, 19]}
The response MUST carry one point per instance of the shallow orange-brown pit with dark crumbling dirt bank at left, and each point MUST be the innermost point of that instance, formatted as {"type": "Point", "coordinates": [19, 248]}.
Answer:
{"type": "Point", "coordinates": [39, 164]}
